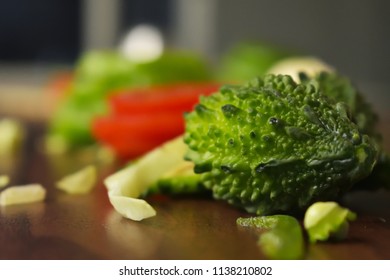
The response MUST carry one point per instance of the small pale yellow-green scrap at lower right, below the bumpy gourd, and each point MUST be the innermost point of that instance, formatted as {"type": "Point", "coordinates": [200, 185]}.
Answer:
{"type": "Point", "coordinates": [327, 220]}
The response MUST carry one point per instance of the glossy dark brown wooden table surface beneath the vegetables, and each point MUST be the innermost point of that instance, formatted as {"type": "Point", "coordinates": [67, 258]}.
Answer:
{"type": "Point", "coordinates": [86, 227]}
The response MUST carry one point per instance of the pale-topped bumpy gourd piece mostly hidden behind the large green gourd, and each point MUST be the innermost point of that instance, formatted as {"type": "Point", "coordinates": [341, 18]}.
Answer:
{"type": "Point", "coordinates": [341, 89]}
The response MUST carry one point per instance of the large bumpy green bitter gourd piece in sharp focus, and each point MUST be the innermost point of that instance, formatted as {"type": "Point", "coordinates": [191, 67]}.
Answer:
{"type": "Point", "coordinates": [273, 146]}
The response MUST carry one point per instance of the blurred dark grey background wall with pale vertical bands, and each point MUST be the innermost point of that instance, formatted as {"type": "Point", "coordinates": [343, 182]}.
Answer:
{"type": "Point", "coordinates": [351, 35]}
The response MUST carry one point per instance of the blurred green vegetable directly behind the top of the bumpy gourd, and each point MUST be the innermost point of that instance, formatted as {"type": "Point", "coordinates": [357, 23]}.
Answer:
{"type": "Point", "coordinates": [249, 59]}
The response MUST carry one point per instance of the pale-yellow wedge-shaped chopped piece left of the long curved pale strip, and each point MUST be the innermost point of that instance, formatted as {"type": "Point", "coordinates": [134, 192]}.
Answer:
{"type": "Point", "coordinates": [80, 182]}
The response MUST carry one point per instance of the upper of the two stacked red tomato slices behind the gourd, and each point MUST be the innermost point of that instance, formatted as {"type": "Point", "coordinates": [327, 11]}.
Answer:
{"type": "Point", "coordinates": [178, 97]}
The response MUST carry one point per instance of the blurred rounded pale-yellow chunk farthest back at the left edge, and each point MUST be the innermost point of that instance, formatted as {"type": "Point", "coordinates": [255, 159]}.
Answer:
{"type": "Point", "coordinates": [11, 136]}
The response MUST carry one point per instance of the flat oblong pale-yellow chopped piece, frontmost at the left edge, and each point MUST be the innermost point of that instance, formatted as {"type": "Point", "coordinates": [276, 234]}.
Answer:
{"type": "Point", "coordinates": [22, 194]}
